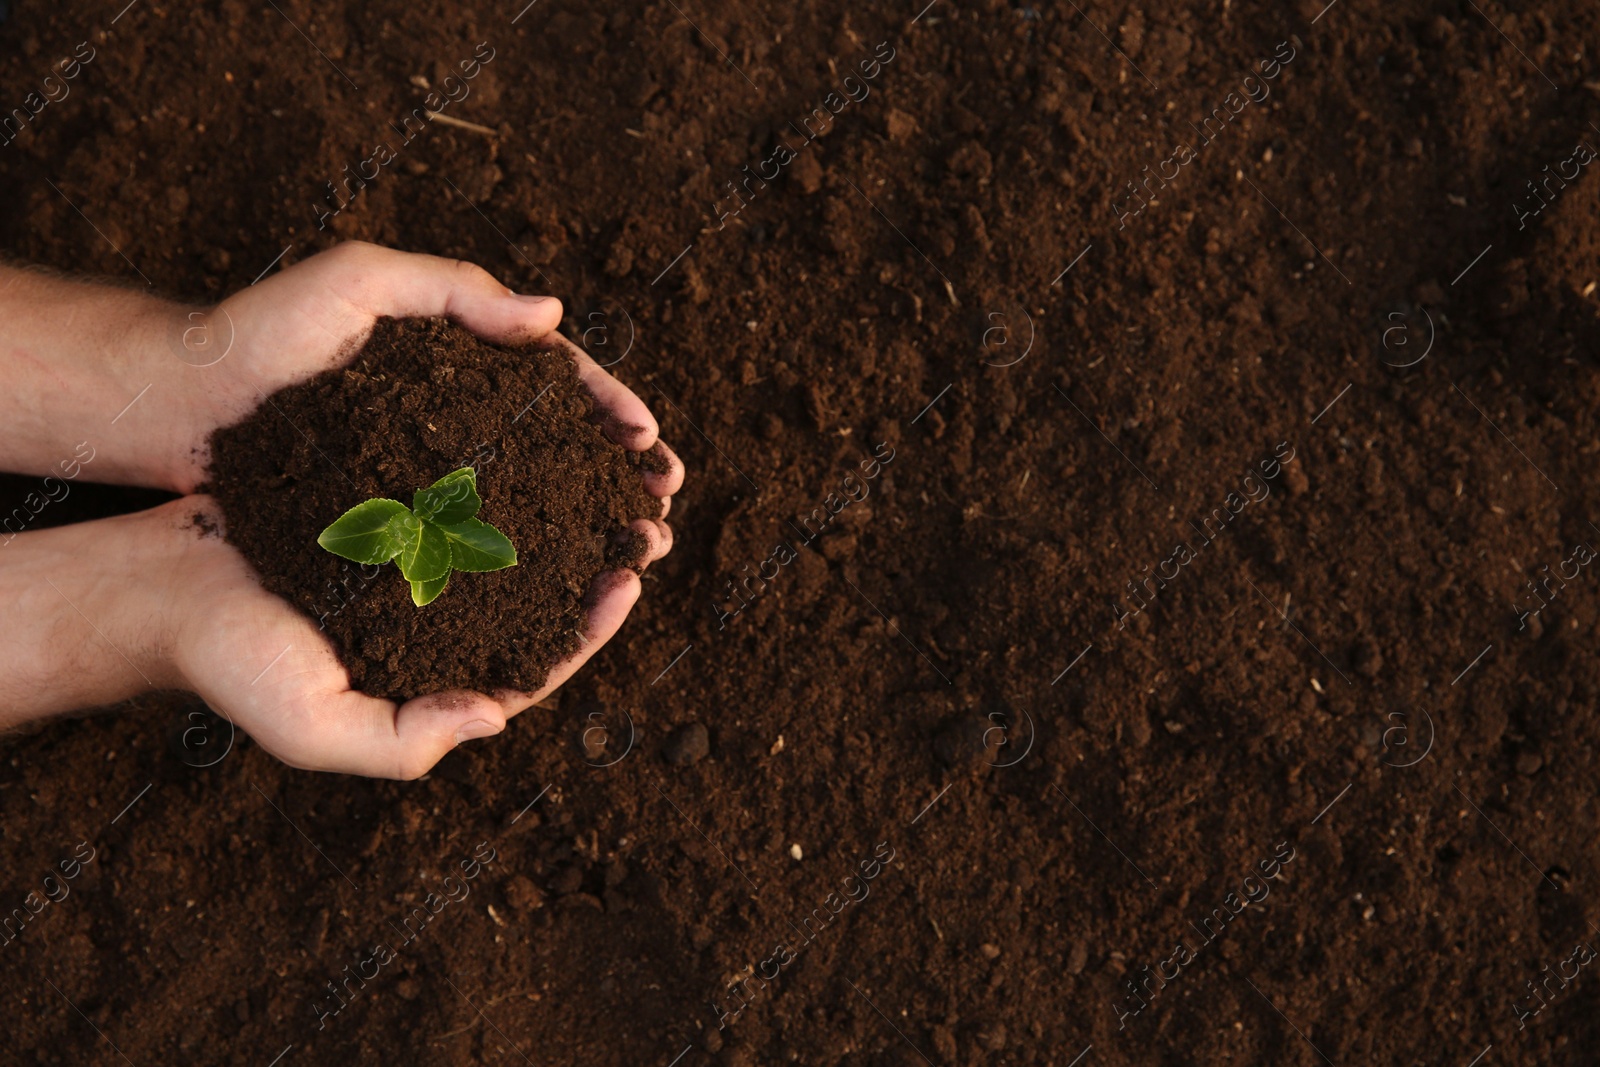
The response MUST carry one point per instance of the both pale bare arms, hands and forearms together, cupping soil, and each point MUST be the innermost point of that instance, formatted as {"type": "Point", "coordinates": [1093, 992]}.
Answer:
{"type": "Point", "coordinates": [106, 610]}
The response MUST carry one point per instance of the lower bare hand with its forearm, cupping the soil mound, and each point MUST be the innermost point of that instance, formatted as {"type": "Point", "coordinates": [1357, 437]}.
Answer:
{"type": "Point", "coordinates": [122, 605]}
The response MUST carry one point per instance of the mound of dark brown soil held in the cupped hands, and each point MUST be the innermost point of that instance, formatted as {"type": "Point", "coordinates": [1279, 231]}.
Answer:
{"type": "Point", "coordinates": [423, 399]}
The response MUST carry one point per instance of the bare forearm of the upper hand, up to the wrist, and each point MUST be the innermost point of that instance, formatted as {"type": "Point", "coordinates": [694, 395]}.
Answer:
{"type": "Point", "coordinates": [89, 370]}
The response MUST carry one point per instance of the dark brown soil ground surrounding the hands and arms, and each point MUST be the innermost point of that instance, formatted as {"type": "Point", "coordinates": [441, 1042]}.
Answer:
{"type": "Point", "coordinates": [1262, 698]}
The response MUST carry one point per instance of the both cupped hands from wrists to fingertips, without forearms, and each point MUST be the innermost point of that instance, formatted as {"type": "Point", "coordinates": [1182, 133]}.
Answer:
{"type": "Point", "coordinates": [250, 655]}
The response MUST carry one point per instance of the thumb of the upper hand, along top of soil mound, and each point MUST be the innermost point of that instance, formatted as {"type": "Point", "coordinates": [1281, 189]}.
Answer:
{"type": "Point", "coordinates": [404, 286]}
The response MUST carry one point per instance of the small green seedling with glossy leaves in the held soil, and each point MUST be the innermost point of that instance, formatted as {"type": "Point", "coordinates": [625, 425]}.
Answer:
{"type": "Point", "coordinates": [438, 535]}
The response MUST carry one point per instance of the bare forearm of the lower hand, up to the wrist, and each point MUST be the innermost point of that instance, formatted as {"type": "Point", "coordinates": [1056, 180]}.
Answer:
{"type": "Point", "coordinates": [81, 628]}
